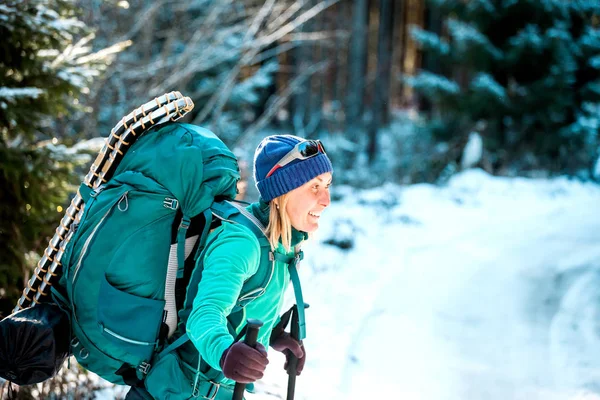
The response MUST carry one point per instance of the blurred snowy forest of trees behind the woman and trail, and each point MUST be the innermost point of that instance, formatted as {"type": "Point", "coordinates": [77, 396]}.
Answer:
{"type": "Point", "coordinates": [402, 91]}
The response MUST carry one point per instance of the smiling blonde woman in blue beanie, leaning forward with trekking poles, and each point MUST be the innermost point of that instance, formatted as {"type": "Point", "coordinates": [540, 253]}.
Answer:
{"type": "Point", "coordinates": [293, 176]}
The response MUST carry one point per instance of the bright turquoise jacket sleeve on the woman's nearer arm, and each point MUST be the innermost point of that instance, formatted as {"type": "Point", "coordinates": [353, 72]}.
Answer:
{"type": "Point", "coordinates": [229, 261]}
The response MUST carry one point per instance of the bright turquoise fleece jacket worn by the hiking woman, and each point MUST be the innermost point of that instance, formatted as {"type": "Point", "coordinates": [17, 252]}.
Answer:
{"type": "Point", "coordinates": [229, 261]}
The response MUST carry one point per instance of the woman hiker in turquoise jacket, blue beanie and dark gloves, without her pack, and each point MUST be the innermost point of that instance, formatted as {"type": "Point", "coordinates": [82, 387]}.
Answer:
{"type": "Point", "coordinates": [293, 176]}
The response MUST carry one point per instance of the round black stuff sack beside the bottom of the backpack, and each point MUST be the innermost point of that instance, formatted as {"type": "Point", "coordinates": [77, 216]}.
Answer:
{"type": "Point", "coordinates": [34, 343]}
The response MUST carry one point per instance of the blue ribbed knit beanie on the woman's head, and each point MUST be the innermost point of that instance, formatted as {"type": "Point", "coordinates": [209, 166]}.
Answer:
{"type": "Point", "coordinates": [287, 178]}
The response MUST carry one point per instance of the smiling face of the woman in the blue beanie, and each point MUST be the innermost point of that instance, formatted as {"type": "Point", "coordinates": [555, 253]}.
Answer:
{"type": "Point", "coordinates": [307, 202]}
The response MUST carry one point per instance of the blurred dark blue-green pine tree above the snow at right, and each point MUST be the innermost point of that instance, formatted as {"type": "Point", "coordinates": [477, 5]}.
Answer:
{"type": "Point", "coordinates": [525, 75]}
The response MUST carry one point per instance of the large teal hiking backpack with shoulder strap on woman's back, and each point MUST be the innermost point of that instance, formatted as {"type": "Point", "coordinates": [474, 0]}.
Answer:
{"type": "Point", "coordinates": [130, 260]}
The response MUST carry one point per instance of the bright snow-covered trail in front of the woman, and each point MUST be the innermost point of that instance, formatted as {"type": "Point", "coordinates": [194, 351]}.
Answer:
{"type": "Point", "coordinates": [488, 288]}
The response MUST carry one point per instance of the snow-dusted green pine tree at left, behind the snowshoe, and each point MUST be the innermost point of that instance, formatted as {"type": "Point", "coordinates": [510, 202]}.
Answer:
{"type": "Point", "coordinates": [45, 66]}
